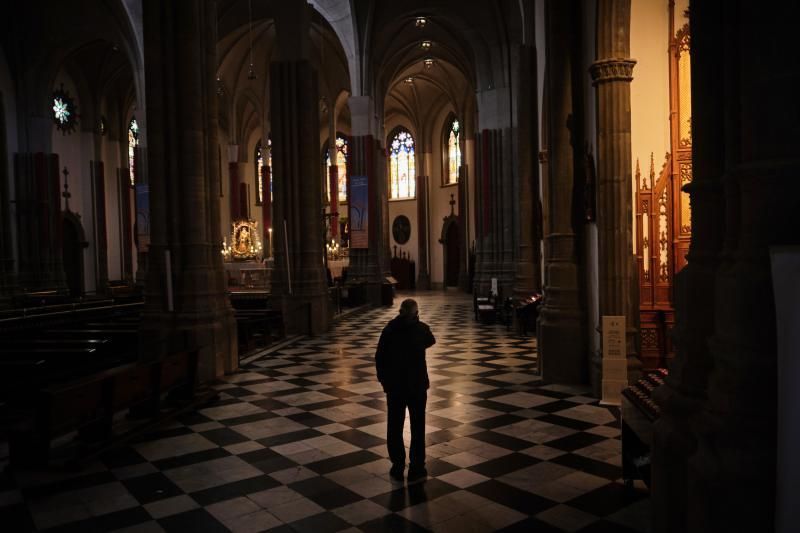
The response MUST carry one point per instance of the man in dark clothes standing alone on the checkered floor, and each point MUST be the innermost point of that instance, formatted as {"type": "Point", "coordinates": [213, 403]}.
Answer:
{"type": "Point", "coordinates": [400, 360]}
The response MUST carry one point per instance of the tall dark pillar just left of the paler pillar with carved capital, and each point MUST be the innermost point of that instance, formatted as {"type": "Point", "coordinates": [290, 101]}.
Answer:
{"type": "Point", "coordinates": [561, 334]}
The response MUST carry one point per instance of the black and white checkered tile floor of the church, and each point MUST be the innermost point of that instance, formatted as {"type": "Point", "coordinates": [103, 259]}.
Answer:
{"type": "Point", "coordinates": [296, 443]}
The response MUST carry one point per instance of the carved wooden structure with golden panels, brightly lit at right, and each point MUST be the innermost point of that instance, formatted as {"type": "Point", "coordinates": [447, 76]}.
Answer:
{"type": "Point", "coordinates": [664, 214]}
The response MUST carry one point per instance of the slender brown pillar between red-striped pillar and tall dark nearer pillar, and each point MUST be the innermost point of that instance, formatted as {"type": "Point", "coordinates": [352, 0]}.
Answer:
{"type": "Point", "coordinates": [527, 279]}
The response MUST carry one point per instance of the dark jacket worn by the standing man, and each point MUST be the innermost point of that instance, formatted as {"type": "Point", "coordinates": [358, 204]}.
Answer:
{"type": "Point", "coordinates": [400, 358]}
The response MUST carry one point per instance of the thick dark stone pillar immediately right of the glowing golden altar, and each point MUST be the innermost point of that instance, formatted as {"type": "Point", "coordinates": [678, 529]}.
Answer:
{"type": "Point", "coordinates": [299, 278]}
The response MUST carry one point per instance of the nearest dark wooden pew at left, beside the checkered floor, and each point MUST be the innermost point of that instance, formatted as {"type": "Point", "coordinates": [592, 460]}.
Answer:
{"type": "Point", "coordinates": [88, 405]}
